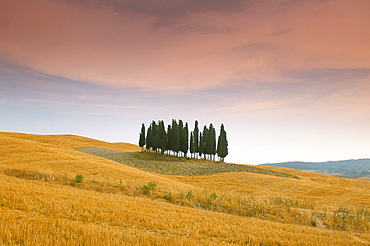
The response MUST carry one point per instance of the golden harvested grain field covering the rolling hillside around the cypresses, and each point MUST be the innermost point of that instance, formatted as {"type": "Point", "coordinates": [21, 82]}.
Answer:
{"type": "Point", "coordinates": [42, 204]}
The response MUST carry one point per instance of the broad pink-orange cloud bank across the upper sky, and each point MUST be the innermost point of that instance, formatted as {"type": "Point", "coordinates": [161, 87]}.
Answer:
{"type": "Point", "coordinates": [255, 42]}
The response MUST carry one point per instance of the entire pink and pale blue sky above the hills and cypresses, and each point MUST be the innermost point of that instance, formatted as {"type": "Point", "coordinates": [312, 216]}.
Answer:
{"type": "Point", "coordinates": [289, 79]}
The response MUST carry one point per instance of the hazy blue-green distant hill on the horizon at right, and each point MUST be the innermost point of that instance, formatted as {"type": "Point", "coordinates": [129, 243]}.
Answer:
{"type": "Point", "coordinates": [348, 167]}
